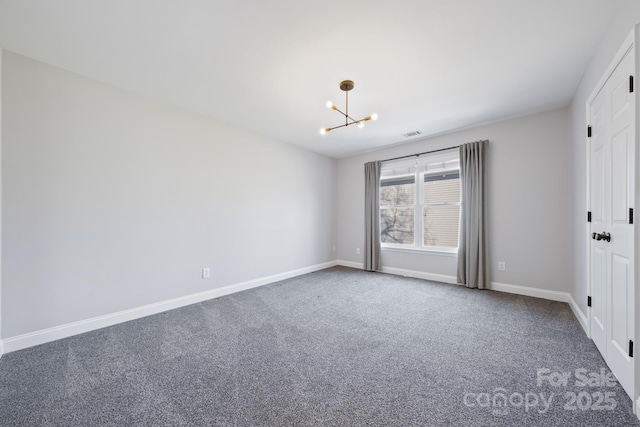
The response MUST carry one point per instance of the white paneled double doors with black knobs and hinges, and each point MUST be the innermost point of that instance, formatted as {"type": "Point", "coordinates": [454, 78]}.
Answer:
{"type": "Point", "coordinates": [611, 184]}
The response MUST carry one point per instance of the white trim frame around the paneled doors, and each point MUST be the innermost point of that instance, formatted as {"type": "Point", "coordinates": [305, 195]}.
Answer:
{"type": "Point", "coordinates": [630, 43]}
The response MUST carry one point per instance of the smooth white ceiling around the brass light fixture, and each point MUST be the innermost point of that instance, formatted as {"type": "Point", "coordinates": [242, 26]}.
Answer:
{"type": "Point", "coordinates": [270, 66]}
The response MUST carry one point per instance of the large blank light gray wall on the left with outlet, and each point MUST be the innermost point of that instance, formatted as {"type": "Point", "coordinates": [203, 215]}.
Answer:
{"type": "Point", "coordinates": [113, 201]}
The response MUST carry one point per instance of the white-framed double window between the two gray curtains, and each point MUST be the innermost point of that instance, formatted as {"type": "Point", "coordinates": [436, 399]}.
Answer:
{"type": "Point", "coordinates": [420, 203]}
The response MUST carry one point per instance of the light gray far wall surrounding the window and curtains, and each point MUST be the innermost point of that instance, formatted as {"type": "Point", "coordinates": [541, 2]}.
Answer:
{"type": "Point", "coordinates": [528, 201]}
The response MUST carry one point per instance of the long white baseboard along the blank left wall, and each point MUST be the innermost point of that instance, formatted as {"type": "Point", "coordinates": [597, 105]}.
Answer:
{"type": "Point", "coordinates": [63, 331]}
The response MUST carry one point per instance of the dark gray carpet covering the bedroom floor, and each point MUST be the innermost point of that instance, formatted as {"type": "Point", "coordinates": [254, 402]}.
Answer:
{"type": "Point", "coordinates": [339, 347]}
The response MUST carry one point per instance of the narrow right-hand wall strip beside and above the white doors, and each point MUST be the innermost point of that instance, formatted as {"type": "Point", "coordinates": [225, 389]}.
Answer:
{"type": "Point", "coordinates": [619, 28]}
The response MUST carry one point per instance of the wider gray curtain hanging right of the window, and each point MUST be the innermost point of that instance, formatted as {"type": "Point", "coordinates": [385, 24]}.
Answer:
{"type": "Point", "coordinates": [473, 254]}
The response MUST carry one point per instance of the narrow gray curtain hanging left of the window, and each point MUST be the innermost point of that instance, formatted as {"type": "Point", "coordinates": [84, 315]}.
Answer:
{"type": "Point", "coordinates": [372, 216]}
